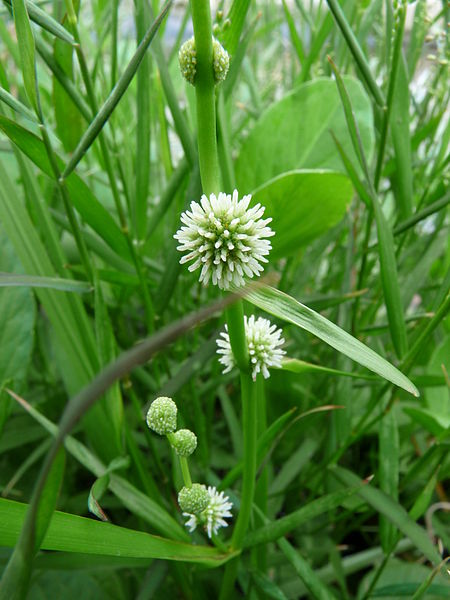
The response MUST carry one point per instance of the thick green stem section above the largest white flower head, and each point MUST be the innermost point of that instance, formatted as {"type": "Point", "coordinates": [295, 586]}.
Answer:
{"type": "Point", "coordinates": [205, 97]}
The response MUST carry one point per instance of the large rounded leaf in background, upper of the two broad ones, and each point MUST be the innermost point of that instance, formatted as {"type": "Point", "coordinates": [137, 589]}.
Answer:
{"type": "Point", "coordinates": [294, 133]}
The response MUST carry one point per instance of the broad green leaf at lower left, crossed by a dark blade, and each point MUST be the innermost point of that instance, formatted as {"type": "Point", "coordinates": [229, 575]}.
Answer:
{"type": "Point", "coordinates": [71, 533]}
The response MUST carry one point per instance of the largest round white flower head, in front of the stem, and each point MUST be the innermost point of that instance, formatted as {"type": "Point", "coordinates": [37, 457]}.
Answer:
{"type": "Point", "coordinates": [225, 238]}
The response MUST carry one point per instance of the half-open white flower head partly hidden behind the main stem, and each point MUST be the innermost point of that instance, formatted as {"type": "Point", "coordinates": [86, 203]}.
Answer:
{"type": "Point", "coordinates": [263, 340]}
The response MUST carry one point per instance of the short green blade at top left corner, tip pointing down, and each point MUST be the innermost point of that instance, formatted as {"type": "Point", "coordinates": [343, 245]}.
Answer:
{"type": "Point", "coordinates": [25, 40]}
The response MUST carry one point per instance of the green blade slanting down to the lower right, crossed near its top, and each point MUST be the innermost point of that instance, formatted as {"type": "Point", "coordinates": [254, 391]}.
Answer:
{"type": "Point", "coordinates": [393, 511]}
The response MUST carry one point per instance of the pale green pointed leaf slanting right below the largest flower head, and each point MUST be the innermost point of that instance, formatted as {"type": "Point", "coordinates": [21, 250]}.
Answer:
{"type": "Point", "coordinates": [287, 308]}
